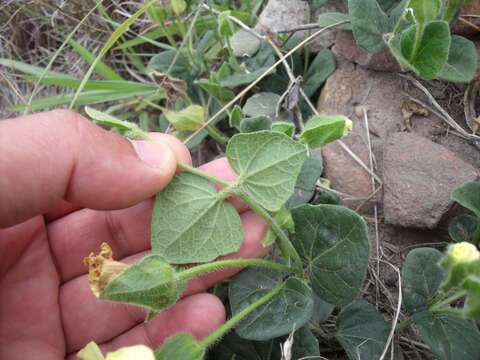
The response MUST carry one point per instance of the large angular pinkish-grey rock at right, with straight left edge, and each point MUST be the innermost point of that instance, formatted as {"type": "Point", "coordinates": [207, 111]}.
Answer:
{"type": "Point", "coordinates": [419, 177]}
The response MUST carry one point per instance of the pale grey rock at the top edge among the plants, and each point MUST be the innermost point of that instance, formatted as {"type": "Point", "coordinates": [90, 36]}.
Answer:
{"type": "Point", "coordinates": [284, 14]}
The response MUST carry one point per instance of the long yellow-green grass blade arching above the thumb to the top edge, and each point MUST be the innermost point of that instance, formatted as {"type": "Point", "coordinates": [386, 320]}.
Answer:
{"type": "Point", "coordinates": [108, 45]}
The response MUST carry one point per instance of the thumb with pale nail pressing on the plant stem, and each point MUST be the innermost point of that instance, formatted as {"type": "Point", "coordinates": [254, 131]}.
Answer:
{"type": "Point", "coordinates": [59, 155]}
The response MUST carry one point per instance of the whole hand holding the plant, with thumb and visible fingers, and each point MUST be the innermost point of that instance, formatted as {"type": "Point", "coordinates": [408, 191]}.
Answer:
{"type": "Point", "coordinates": [66, 186]}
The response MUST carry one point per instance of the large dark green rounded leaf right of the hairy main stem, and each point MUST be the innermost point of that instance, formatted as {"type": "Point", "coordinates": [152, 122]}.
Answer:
{"type": "Point", "coordinates": [333, 243]}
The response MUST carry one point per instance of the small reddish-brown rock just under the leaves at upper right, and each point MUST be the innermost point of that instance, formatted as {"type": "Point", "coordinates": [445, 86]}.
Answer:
{"type": "Point", "coordinates": [345, 46]}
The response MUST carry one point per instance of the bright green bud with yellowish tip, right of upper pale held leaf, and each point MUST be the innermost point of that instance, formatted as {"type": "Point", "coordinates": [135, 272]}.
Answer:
{"type": "Point", "coordinates": [323, 129]}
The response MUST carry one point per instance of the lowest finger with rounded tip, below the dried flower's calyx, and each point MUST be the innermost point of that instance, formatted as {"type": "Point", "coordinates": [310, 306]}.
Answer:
{"type": "Point", "coordinates": [199, 315]}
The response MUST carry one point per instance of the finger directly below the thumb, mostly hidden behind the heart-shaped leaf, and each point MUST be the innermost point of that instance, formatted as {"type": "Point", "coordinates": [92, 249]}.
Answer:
{"type": "Point", "coordinates": [126, 231]}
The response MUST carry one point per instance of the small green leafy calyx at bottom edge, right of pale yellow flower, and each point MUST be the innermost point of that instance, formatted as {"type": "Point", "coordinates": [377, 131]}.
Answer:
{"type": "Point", "coordinates": [181, 346]}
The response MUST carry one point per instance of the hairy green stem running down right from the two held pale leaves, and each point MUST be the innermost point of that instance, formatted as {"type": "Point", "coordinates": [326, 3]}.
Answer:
{"type": "Point", "coordinates": [284, 243]}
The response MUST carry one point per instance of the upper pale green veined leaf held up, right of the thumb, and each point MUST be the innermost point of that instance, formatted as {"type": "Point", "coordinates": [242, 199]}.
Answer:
{"type": "Point", "coordinates": [268, 164]}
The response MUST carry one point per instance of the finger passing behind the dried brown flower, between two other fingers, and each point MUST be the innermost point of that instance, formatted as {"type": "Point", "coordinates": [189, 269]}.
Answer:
{"type": "Point", "coordinates": [80, 309]}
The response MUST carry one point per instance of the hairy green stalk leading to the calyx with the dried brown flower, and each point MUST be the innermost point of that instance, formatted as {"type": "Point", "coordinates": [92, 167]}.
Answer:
{"type": "Point", "coordinates": [222, 264]}
